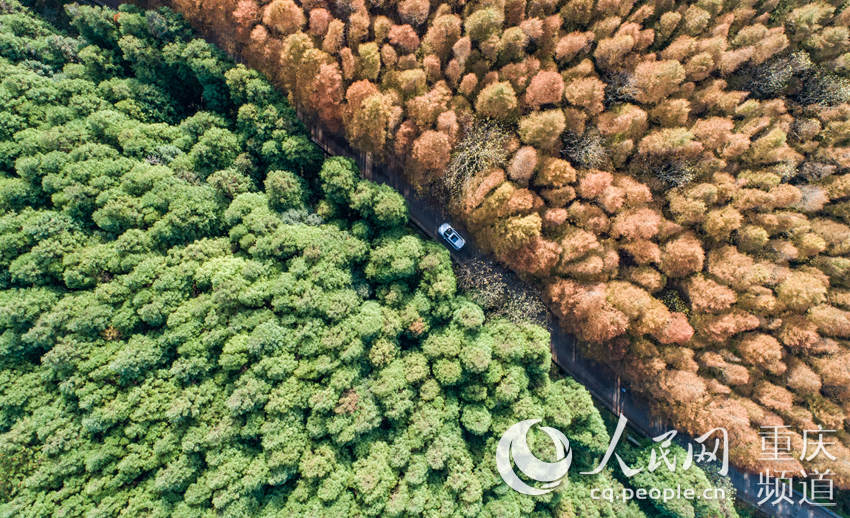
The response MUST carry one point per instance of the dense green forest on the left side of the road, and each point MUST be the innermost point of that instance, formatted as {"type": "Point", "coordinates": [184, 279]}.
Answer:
{"type": "Point", "coordinates": [202, 314]}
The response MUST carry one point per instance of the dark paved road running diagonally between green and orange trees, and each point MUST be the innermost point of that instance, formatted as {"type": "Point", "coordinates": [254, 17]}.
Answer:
{"type": "Point", "coordinates": [603, 384]}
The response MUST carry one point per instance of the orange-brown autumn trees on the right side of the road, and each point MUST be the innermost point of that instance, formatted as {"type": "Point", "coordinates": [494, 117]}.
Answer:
{"type": "Point", "coordinates": [676, 173]}
